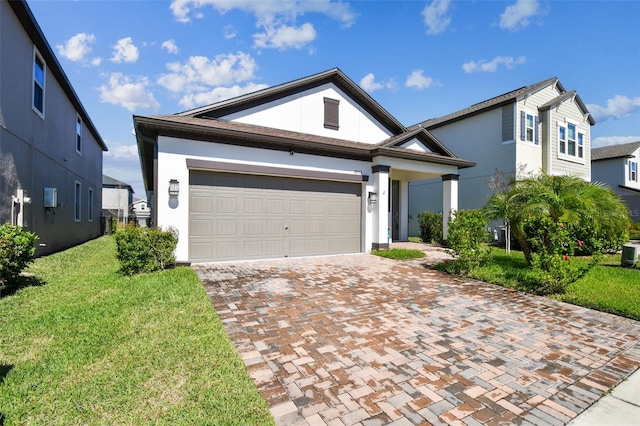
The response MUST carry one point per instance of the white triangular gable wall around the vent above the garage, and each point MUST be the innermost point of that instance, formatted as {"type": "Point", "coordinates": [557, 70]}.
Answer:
{"type": "Point", "coordinates": [304, 112]}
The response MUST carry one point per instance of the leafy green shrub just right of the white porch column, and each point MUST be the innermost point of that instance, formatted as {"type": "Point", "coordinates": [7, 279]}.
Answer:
{"type": "Point", "coordinates": [467, 232]}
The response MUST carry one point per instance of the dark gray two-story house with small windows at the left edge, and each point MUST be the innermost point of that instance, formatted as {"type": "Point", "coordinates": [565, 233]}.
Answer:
{"type": "Point", "coordinates": [50, 150]}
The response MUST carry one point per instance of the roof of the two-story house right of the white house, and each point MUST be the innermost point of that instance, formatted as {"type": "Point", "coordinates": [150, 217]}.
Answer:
{"type": "Point", "coordinates": [504, 99]}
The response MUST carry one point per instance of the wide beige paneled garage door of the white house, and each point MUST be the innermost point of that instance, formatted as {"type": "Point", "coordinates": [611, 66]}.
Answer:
{"type": "Point", "coordinates": [237, 217]}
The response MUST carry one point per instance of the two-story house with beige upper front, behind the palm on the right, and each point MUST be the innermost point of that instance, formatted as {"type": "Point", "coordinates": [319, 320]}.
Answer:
{"type": "Point", "coordinates": [540, 127]}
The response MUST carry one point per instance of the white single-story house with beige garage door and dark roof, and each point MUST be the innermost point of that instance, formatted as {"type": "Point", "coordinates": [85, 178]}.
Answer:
{"type": "Point", "coordinates": [310, 167]}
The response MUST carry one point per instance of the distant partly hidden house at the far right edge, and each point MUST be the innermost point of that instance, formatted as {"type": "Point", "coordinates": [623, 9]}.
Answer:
{"type": "Point", "coordinates": [617, 166]}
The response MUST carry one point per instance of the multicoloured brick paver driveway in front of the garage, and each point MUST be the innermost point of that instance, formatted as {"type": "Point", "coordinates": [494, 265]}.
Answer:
{"type": "Point", "coordinates": [365, 340]}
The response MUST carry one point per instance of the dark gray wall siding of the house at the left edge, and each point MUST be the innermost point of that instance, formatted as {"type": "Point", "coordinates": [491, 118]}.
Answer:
{"type": "Point", "coordinates": [36, 153]}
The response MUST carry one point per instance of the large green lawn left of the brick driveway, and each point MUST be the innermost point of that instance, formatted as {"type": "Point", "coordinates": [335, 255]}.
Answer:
{"type": "Point", "coordinates": [84, 345]}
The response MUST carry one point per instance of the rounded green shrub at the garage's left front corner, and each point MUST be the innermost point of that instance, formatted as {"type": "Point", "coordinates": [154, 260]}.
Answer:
{"type": "Point", "coordinates": [144, 249]}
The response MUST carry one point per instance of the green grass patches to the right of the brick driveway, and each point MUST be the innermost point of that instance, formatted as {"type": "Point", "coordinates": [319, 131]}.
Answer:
{"type": "Point", "coordinates": [606, 287]}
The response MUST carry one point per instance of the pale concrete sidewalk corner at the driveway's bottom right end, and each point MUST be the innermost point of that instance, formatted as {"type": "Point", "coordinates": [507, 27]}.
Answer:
{"type": "Point", "coordinates": [619, 408]}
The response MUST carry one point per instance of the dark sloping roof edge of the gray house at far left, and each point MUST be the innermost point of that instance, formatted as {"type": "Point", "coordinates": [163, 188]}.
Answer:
{"type": "Point", "coordinates": [29, 23]}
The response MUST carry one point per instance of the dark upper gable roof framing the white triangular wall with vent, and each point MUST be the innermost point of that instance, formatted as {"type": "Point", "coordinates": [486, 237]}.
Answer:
{"type": "Point", "coordinates": [334, 75]}
